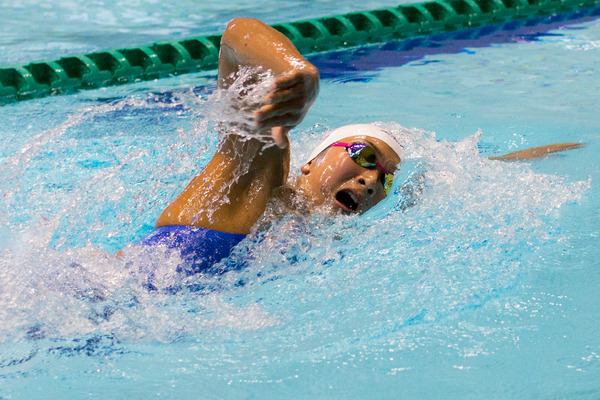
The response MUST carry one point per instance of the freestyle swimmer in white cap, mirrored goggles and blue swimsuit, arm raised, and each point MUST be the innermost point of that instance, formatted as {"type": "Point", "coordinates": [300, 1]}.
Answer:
{"type": "Point", "coordinates": [349, 172]}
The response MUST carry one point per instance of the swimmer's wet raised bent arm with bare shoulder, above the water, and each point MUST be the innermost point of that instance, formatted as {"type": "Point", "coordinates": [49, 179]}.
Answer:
{"type": "Point", "coordinates": [232, 191]}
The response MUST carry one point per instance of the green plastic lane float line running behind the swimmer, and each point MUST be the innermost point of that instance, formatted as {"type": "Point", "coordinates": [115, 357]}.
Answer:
{"type": "Point", "coordinates": [164, 59]}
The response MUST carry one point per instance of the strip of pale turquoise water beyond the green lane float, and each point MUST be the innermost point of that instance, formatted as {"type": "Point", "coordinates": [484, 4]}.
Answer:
{"type": "Point", "coordinates": [32, 31]}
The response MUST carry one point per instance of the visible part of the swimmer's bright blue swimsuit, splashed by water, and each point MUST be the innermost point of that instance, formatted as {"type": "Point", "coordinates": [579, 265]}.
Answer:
{"type": "Point", "coordinates": [200, 248]}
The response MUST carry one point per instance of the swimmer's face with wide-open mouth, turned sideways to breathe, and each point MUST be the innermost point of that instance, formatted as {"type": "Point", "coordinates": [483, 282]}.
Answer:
{"type": "Point", "coordinates": [333, 178]}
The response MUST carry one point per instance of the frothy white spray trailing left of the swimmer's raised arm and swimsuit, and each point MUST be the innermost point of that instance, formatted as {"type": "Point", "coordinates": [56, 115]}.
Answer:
{"type": "Point", "coordinates": [62, 228]}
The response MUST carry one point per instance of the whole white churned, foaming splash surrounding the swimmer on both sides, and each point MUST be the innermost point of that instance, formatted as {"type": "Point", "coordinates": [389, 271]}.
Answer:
{"type": "Point", "coordinates": [457, 234]}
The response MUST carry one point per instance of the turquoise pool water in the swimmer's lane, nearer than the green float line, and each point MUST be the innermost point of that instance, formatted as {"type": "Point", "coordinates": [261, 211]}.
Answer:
{"type": "Point", "coordinates": [475, 279]}
